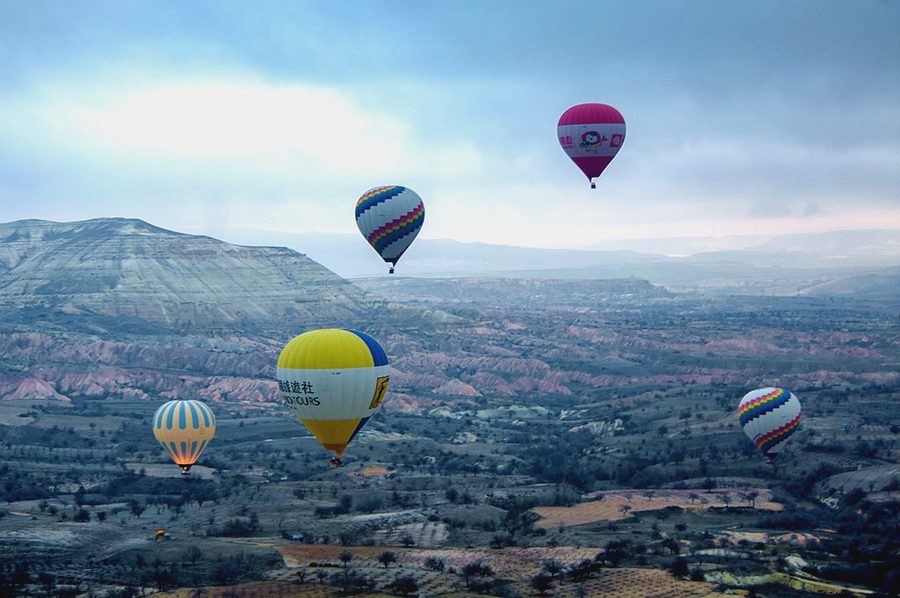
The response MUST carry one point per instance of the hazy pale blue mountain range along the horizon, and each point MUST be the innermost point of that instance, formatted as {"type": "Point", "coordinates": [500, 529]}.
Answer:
{"type": "Point", "coordinates": [790, 264]}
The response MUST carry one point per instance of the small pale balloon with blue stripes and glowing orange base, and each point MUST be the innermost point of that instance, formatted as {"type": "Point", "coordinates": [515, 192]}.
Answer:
{"type": "Point", "coordinates": [184, 428]}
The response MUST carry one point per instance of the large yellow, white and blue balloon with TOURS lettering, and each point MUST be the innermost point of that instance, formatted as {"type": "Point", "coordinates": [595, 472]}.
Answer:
{"type": "Point", "coordinates": [333, 380]}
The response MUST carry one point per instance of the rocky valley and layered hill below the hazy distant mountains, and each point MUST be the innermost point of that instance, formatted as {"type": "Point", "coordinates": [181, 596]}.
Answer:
{"type": "Point", "coordinates": [582, 431]}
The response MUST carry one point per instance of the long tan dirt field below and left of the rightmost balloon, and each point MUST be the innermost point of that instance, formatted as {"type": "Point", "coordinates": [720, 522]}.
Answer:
{"type": "Point", "coordinates": [615, 506]}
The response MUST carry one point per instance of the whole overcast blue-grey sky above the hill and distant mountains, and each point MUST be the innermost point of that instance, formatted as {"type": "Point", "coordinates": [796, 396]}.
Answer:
{"type": "Point", "coordinates": [743, 117]}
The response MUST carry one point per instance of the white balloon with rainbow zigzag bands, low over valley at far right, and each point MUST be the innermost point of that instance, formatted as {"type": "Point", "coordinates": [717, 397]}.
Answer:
{"type": "Point", "coordinates": [769, 416]}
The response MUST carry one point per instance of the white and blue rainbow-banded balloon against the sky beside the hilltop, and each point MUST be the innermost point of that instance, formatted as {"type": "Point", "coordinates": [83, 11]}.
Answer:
{"type": "Point", "coordinates": [390, 218]}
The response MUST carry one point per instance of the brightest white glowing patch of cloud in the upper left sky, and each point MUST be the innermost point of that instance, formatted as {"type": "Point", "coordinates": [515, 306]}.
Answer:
{"type": "Point", "coordinates": [246, 120]}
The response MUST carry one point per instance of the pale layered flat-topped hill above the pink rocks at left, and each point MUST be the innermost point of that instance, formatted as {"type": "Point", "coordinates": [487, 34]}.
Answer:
{"type": "Point", "coordinates": [120, 275]}
